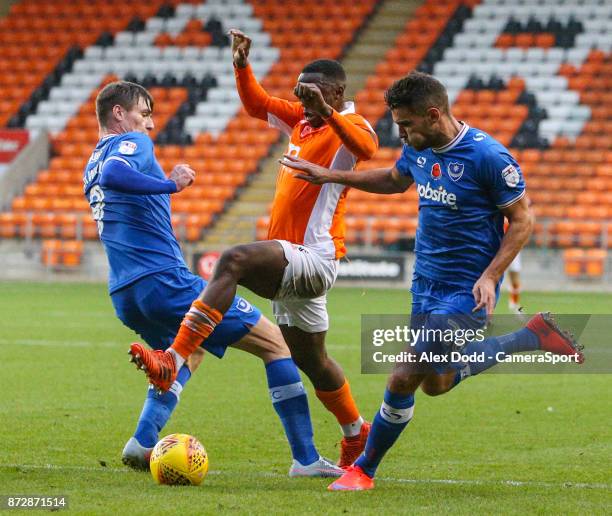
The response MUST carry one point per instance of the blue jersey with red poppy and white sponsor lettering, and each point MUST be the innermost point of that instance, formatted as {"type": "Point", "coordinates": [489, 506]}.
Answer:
{"type": "Point", "coordinates": [461, 189]}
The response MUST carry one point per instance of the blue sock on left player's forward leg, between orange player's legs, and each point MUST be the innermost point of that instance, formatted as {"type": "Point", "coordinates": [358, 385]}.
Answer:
{"type": "Point", "coordinates": [291, 404]}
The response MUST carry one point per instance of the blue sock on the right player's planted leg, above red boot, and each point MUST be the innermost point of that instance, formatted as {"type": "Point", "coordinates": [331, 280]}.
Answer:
{"type": "Point", "coordinates": [394, 414]}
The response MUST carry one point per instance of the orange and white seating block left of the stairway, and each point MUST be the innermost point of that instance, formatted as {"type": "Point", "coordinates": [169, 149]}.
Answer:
{"type": "Point", "coordinates": [182, 54]}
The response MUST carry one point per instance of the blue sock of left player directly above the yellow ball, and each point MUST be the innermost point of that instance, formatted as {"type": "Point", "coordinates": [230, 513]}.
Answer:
{"type": "Point", "coordinates": [158, 409]}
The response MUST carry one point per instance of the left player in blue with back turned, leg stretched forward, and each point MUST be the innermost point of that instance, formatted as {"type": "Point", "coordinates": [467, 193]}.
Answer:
{"type": "Point", "coordinates": [151, 287]}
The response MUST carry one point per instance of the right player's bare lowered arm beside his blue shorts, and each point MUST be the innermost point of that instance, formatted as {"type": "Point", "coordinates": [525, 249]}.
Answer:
{"type": "Point", "coordinates": [520, 227]}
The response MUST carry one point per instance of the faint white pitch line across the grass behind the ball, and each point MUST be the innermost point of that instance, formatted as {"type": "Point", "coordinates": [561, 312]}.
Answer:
{"type": "Point", "coordinates": [443, 481]}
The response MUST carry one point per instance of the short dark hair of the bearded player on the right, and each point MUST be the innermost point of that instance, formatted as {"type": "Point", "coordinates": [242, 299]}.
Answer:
{"type": "Point", "coordinates": [417, 91]}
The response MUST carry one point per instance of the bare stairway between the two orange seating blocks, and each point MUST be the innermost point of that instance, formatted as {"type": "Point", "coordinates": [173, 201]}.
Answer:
{"type": "Point", "coordinates": [237, 225]}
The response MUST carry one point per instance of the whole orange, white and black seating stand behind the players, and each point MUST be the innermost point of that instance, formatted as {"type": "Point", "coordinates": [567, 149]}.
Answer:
{"type": "Point", "coordinates": [537, 78]}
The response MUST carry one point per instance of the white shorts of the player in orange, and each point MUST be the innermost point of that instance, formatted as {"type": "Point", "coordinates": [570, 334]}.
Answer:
{"type": "Point", "coordinates": [301, 300]}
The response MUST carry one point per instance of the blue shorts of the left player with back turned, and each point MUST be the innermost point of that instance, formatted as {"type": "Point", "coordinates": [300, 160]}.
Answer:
{"type": "Point", "coordinates": [155, 305]}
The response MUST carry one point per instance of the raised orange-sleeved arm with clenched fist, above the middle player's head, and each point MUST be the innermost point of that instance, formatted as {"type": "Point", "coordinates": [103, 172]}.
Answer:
{"type": "Point", "coordinates": [255, 99]}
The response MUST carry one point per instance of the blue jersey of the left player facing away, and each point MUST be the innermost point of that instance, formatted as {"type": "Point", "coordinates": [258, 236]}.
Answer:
{"type": "Point", "coordinates": [136, 230]}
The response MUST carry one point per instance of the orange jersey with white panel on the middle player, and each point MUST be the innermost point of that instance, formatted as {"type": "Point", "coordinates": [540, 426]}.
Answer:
{"type": "Point", "coordinates": [303, 213]}
